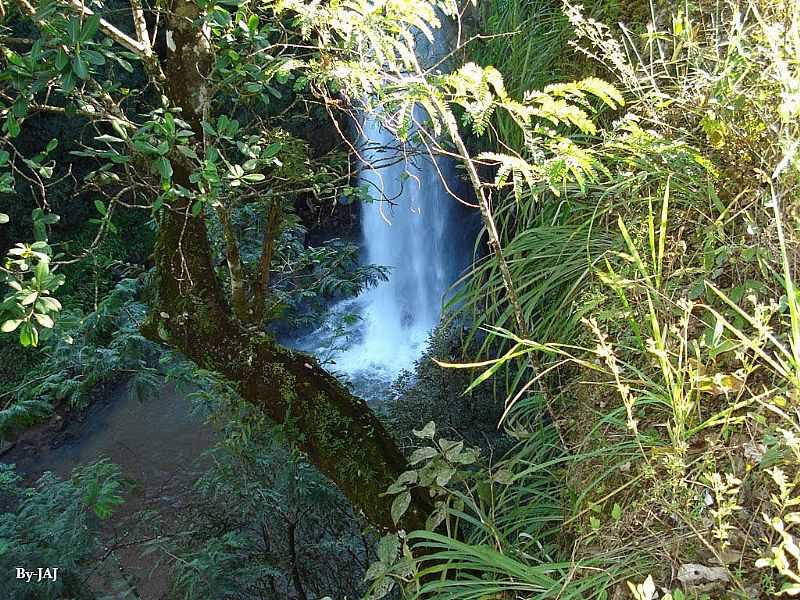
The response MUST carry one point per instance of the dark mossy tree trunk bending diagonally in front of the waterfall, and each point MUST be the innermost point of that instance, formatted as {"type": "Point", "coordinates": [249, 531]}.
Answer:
{"type": "Point", "coordinates": [336, 430]}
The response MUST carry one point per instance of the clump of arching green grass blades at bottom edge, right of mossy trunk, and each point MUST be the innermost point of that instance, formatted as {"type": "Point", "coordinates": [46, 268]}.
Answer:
{"type": "Point", "coordinates": [509, 543]}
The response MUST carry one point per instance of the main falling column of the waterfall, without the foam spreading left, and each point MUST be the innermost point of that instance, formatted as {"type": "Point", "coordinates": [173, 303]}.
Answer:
{"type": "Point", "coordinates": [408, 228]}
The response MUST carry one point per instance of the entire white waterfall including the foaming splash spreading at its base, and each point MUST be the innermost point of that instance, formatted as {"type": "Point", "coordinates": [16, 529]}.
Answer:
{"type": "Point", "coordinates": [414, 227]}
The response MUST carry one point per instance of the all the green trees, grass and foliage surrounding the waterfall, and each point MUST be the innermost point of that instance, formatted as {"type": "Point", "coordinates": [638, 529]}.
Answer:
{"type": "Point", "coordinates": [631, 322]}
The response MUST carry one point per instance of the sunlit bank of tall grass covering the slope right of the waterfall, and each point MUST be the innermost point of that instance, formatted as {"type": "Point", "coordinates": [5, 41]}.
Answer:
{"type": "Point", "coordinates": [693, 381]}
